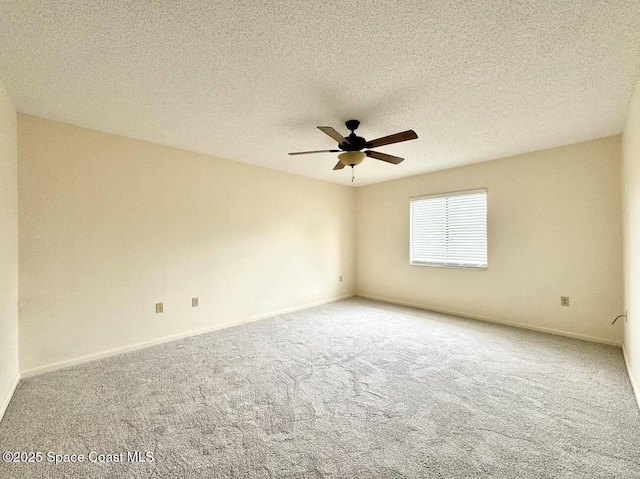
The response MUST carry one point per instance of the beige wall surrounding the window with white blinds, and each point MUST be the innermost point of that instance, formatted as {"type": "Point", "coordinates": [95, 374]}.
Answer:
{"type": "Point", "coordinates": [554, 229]}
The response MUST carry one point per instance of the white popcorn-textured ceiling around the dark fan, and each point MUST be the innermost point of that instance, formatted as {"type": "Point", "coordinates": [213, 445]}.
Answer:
{"type": "Point", "coordinates": [250, 80]}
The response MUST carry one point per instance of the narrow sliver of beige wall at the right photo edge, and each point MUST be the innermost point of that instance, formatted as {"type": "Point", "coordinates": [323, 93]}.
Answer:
{"type": "Point", "coordinates": [631, 218]}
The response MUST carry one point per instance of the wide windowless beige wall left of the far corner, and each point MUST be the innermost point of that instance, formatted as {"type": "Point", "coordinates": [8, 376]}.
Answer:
{"type": "Point", "coordinates": [109, 226]}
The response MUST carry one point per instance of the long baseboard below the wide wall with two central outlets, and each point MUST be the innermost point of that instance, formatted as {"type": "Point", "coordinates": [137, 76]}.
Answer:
{"type": "Point", "coordinates": [133, 347]}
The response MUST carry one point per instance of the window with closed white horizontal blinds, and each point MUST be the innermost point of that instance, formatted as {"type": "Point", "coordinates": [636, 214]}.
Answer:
{"type": "Point", "coordinates": [449, 230]}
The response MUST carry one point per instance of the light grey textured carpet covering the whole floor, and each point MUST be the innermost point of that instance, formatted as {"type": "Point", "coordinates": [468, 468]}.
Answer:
{"type": "Point", "coordinates": [354, 389]}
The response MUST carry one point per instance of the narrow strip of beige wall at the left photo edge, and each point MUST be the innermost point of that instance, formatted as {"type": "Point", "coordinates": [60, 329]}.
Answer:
{"type": "Point", "coordinates": [8, 250]}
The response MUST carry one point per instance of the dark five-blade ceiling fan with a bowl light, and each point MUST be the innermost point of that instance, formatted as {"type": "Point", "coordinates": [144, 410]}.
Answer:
{"type": "Point", "coordinates": [352, 145]}
